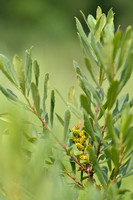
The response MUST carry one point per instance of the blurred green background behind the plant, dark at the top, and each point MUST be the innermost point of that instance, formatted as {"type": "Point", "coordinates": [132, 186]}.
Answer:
{"type": "Point", "coordinates": [49, 26]}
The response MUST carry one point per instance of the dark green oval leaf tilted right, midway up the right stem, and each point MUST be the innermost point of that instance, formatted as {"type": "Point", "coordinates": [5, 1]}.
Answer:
{"type": "Point", "coordinates": [112, 94]}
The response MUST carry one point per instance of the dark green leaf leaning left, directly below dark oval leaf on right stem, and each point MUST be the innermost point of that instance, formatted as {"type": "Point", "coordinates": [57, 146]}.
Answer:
{"type": "Point", "coordinates": [111, 131]}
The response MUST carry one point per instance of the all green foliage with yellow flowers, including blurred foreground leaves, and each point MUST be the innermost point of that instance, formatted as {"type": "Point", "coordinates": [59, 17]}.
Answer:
{"type": "Point", "coordinates": [97, 151]}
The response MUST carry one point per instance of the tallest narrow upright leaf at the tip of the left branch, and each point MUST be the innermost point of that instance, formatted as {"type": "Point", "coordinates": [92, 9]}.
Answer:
{"type": "Point", "coordinates": [28, 69]}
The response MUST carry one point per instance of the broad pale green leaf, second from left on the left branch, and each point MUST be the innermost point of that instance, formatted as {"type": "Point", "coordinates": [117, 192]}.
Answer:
{"type": "Point", "coordinates": [19, 69]}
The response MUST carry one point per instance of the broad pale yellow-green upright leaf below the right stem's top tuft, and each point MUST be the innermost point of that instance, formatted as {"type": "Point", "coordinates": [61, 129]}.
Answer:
{"type": "Point", "coordinates": [108, 58]}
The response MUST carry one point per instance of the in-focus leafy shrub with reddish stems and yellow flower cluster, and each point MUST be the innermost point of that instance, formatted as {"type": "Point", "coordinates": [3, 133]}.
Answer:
{"type": "Point", "coordinates": [97, 150]}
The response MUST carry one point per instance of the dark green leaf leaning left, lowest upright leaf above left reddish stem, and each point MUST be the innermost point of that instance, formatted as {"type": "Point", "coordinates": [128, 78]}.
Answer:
{"type": "Point", "coordinates": [35, 96]}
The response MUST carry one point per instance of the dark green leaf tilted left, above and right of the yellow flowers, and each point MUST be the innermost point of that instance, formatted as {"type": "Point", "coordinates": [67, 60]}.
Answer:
{"type": "Point", "coordinates": [86, 105]}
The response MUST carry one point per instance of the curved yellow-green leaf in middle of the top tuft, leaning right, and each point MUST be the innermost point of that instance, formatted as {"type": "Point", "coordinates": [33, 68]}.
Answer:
{"type": "Point", "coordinates": [99, 27]}
